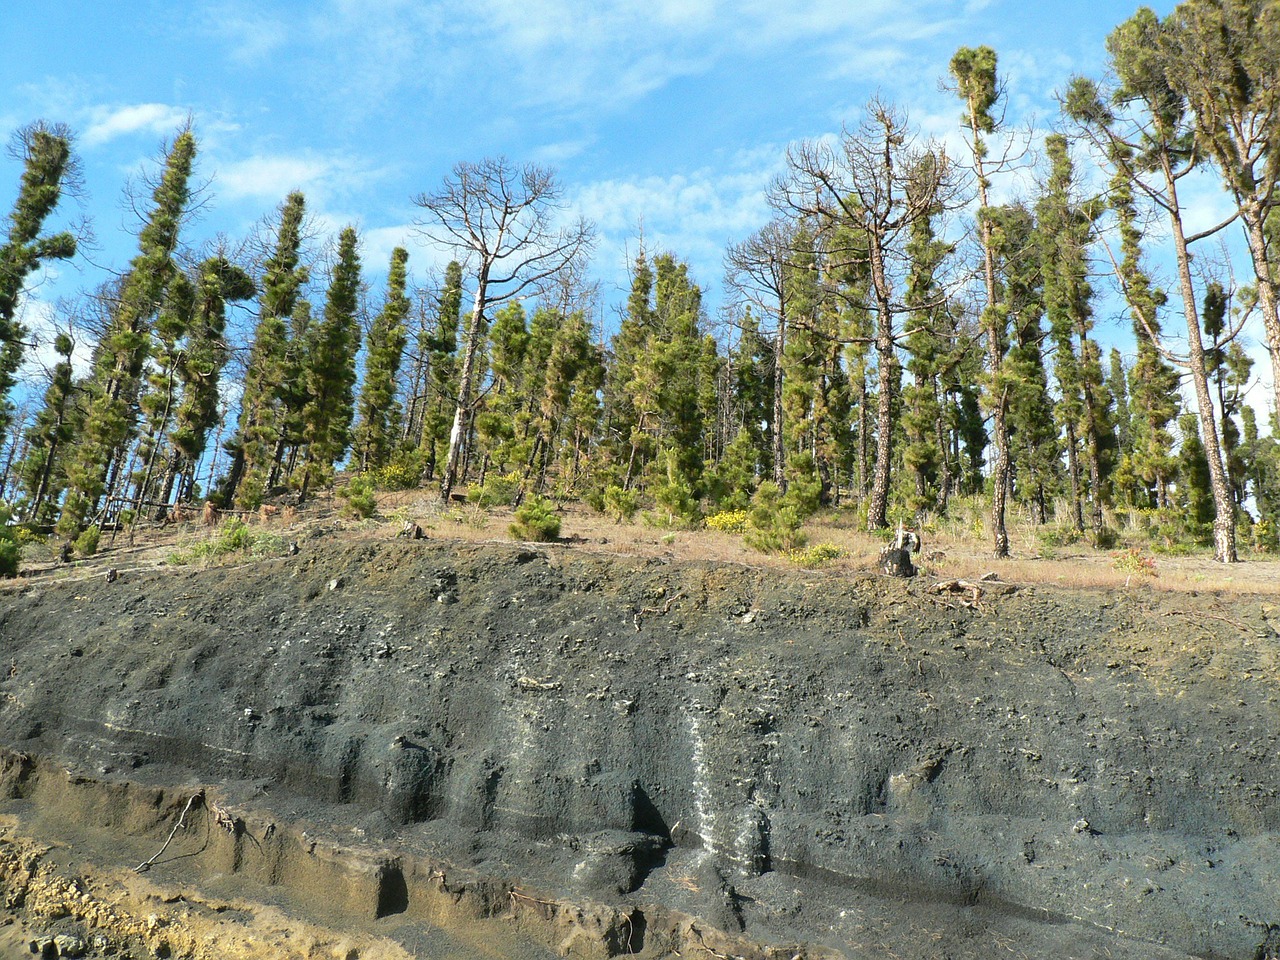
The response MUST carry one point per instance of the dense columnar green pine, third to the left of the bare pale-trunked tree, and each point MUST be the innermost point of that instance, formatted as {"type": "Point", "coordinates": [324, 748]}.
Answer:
{"type": "Point", "coordinates": [331, 371]}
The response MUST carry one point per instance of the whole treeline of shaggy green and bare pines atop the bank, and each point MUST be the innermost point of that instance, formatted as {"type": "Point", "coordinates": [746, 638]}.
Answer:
{"type": "Point", "coordinates": [895, 339]}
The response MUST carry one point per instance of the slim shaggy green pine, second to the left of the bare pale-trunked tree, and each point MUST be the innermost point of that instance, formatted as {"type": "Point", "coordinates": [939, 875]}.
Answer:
{"type": "Point", "coordinates": [380, 413]}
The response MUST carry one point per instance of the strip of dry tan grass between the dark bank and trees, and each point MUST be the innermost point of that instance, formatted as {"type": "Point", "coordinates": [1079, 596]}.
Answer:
{"type": "Point", "coordinates": [953, 548]}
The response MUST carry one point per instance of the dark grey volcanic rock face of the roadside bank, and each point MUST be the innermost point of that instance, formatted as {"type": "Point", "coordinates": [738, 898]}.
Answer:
{"type": "Point", "coordinates": [787, 756]}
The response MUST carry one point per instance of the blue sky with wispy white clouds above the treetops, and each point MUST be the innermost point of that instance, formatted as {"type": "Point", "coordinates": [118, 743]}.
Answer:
{"type": "Point", "coordinates": [670, 116]}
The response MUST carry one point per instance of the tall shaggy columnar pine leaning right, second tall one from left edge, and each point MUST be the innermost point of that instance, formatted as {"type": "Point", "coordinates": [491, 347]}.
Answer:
{"type": "Point", "coordinates": [127, 341]}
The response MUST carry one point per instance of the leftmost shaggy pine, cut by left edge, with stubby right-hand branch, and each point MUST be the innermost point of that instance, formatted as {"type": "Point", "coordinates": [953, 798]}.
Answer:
{"type": "Point", "coordinates": [47, 152]}
